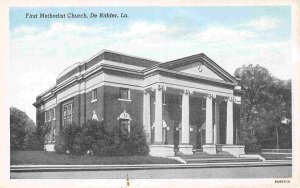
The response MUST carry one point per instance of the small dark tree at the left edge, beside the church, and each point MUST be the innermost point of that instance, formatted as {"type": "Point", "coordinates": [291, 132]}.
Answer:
{"type": "Point", "coordinates": [22, 129]}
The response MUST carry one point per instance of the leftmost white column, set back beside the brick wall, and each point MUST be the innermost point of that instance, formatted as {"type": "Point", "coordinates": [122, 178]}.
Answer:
{"type": "Point", "coordinates": [146, 116]}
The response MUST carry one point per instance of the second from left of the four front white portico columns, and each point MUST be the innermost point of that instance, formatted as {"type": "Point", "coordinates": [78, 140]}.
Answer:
{"type": "Point", "coordinates": [185, 117]}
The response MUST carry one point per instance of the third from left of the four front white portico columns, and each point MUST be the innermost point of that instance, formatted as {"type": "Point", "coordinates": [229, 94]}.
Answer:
{"type": "Point", "coordinates": [209, 120]}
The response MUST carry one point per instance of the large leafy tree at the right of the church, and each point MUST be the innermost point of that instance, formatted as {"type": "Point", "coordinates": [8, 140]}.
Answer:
{"type": "Point", "coordinates": [266, 100]}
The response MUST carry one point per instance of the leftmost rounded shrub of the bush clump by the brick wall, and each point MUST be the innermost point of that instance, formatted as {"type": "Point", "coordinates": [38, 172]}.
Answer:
{"type": "Point", "coordinates": [65, 140]}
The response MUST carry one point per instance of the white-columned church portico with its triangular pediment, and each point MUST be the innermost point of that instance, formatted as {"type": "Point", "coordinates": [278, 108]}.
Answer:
{"type": "Point", "coordinates": [204, 115]}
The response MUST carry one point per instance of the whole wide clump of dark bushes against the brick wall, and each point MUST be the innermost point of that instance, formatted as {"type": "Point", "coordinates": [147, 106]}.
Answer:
{"type": "Point", "coordinates": [94, 136]}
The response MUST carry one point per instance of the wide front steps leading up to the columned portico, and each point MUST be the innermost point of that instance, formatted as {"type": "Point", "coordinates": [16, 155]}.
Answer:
{"type": "Point", "coordinates": [220, 157]}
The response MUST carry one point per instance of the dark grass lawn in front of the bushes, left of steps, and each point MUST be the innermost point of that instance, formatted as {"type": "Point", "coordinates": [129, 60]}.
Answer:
{"type": "Point", "coordinates": [52, 158]}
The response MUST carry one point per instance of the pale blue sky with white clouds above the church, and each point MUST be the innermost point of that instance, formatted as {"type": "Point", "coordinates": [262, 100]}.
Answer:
{"type": "Point", "coordinates": [40, 49]}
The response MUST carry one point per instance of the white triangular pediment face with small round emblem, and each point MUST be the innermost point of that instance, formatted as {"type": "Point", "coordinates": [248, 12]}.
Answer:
{"type": "Point", "coordinates": [198, 69]}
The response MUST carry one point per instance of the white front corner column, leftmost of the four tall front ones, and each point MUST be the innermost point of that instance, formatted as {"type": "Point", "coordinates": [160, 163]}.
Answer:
{"type": "Point", "coordinates": [158, 115]}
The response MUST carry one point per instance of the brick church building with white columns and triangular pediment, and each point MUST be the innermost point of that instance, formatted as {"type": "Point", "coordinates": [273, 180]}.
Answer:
{"type": "Point", "coordinates": [184, 105]}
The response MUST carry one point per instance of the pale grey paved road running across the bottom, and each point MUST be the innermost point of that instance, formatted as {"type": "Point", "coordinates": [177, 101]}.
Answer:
{"type": "Point", "coordinates": [233, 172]}
